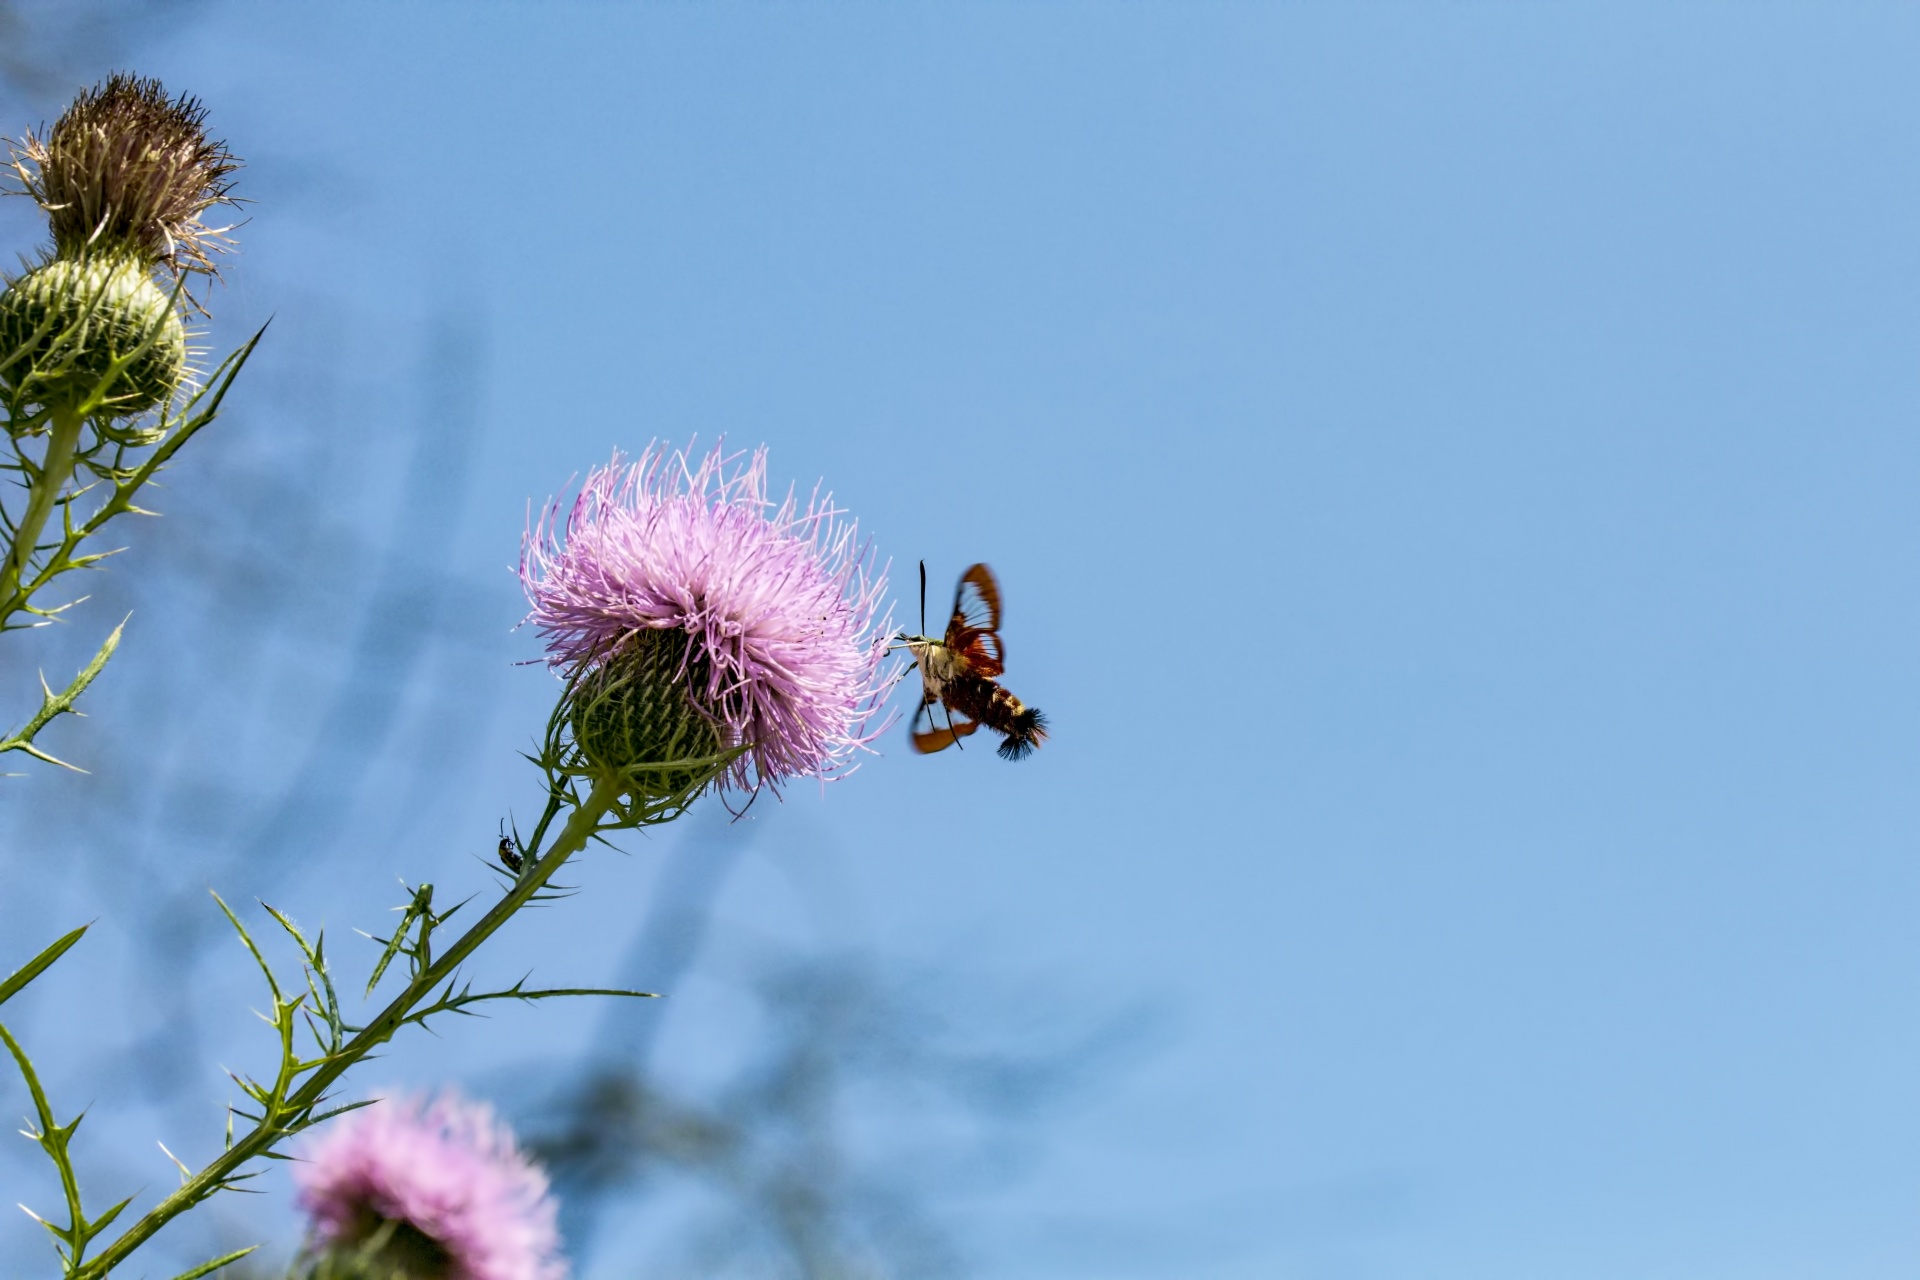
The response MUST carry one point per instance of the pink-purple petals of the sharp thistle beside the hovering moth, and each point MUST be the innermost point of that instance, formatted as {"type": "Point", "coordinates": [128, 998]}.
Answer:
{"type": "Point", "coordinates": [780, 605]}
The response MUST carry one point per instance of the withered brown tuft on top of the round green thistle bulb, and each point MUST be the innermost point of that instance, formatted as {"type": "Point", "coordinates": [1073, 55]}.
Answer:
{"type": "Point", "coordinates": [128, 170]}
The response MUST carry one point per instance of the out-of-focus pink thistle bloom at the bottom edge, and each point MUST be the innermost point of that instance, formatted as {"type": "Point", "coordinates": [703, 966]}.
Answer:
{"type": "Point", "coordinates": [450, 1173]}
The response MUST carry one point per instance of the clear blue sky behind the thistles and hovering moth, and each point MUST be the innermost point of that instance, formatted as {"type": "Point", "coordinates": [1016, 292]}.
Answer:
{"type": "Point", "coordinates": [1454, 475]}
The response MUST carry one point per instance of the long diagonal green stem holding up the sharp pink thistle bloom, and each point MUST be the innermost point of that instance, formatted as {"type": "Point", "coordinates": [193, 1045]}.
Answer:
{"type": "Point", "coordinates": [274, 1124]}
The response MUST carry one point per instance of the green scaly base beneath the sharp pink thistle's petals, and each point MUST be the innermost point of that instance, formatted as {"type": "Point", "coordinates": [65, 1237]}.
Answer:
{"type": "Point", "coordinates": [635, 715]}
